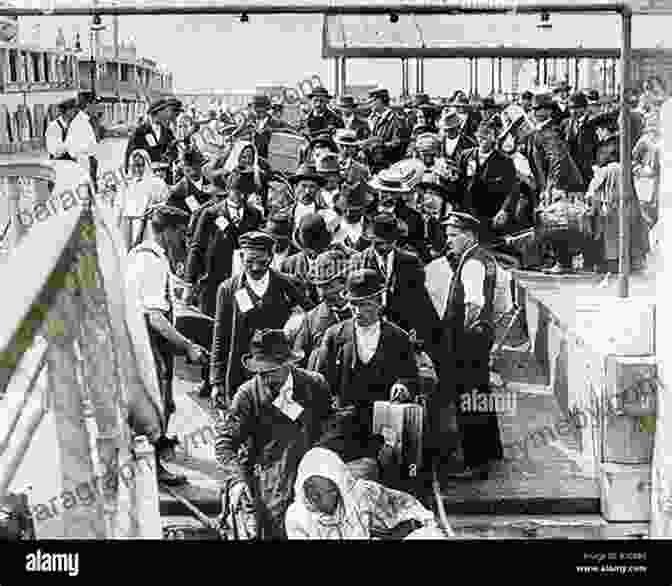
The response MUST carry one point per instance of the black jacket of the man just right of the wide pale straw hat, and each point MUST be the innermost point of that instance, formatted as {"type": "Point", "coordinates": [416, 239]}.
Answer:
{"type": "Point", "coordinates": [491, 187]}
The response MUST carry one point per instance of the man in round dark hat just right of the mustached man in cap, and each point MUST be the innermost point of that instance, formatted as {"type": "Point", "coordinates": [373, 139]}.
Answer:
{"type": "Point", "coordinates": [312, 237]}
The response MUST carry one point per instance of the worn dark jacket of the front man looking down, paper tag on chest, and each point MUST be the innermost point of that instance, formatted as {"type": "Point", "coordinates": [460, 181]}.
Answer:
{"type": "Point", "coordinates": [274, 443]}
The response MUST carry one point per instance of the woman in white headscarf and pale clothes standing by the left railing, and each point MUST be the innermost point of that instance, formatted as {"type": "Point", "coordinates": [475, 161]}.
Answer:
{"type": "Point", "coordinates": [143, 190]}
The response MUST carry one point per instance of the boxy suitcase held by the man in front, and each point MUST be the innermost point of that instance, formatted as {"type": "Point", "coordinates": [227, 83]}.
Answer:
{"type": "Point", "coordinates": [402, 426]}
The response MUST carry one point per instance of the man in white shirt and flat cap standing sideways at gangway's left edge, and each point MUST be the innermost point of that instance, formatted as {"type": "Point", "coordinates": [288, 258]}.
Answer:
{"type": "Point", "coordinates": [147, 284]}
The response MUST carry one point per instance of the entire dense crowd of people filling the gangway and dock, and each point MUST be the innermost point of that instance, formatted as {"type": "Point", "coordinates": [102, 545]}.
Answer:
{"type": "Point", "coordinates": [326, 289]}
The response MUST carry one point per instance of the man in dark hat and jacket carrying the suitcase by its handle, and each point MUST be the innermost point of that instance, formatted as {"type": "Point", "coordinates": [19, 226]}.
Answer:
{"type": "Point", "coordinates": [365, 359]}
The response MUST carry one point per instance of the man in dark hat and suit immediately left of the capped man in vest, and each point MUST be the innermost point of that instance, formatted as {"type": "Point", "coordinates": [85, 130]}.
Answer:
{"type": "Point", "coordinates": [404, 299]}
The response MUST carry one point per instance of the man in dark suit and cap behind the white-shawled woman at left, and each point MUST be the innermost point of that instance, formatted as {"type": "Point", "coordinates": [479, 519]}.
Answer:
{"type": "Point", "coordinates": [156, 135]}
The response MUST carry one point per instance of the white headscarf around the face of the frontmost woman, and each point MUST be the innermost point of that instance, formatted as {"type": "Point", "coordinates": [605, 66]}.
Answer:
{"type": "Point", "coordinates": [347, 522]}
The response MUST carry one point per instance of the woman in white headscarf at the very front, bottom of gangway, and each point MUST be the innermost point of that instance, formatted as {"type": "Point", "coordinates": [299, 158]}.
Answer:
{"type": "Point", "coordinates": [331, 504]}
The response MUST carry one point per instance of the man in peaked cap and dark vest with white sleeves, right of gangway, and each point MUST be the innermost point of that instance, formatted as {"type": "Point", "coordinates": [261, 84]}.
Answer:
{"type": "Point", "coordinates": [462, 286]}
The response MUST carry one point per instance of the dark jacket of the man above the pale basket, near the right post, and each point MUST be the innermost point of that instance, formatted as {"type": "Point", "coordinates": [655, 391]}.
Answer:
{"type": "Point", "coordinates": [552, 162]}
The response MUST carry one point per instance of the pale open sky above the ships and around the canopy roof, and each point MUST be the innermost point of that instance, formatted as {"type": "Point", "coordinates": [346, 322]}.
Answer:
{"type": "Point", "coordinates": [219, 52]}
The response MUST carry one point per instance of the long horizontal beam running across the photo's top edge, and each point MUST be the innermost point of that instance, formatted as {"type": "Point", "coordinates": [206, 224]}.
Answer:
{"type": "Point", "coordinates": [430, 7]}
